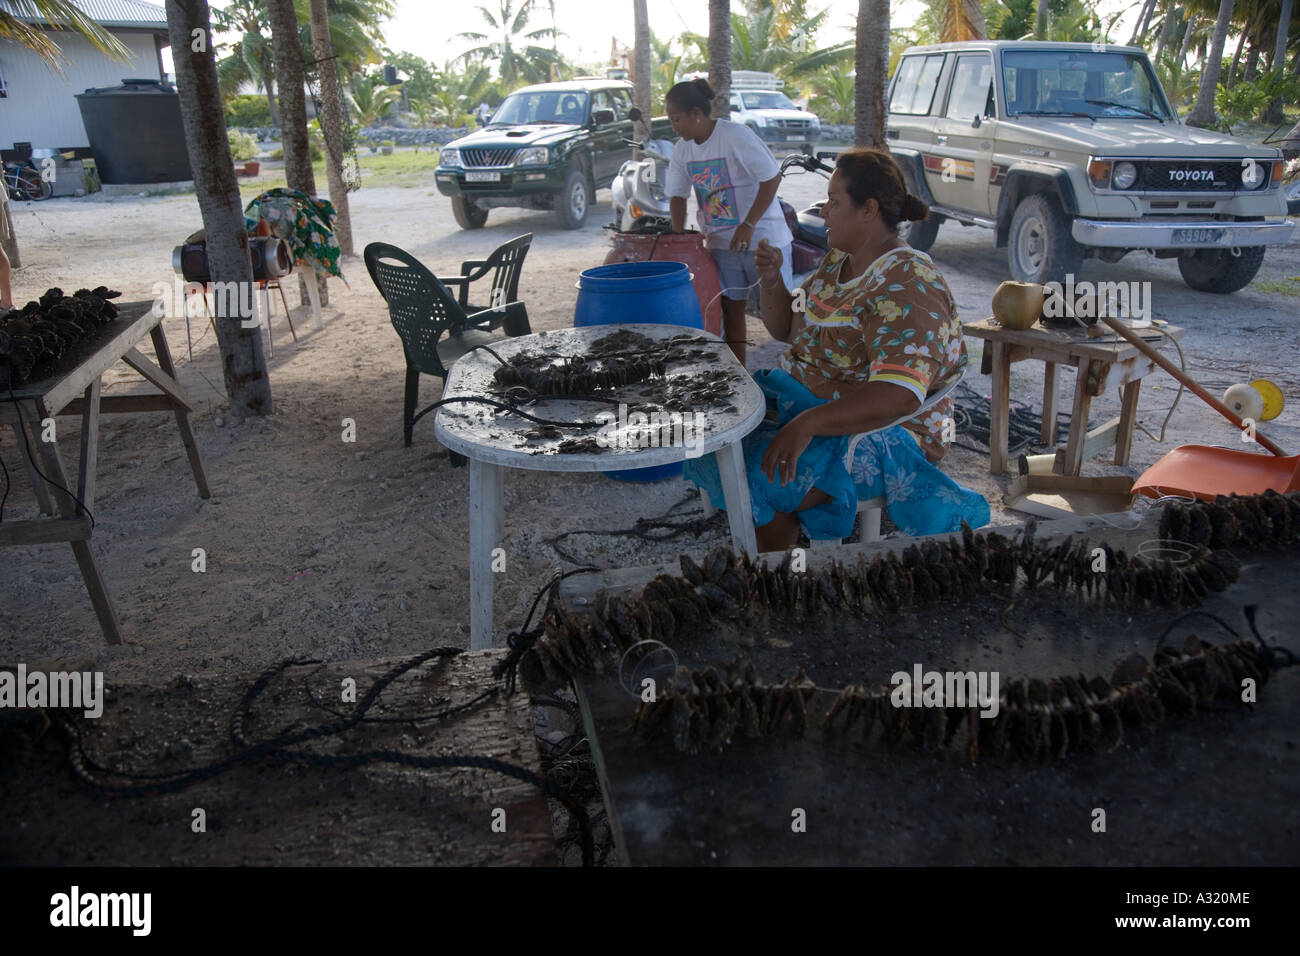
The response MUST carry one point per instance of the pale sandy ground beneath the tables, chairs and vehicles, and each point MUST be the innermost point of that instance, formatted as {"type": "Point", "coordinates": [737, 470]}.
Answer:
{"type": "Point", "coordinates": [361, 551]}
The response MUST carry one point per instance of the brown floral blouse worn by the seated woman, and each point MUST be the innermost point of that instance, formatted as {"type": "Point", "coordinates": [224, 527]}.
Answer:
{"type": "Point", "coordinates": [898, 323]}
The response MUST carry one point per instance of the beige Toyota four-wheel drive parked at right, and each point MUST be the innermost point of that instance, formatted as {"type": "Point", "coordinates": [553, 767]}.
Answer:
{"type": "Point", "coordinates": [1071, 152]}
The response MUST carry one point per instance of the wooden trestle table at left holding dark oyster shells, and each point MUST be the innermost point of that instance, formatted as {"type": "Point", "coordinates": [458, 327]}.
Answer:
{"type": "Point", "coordinates": [77, 392]}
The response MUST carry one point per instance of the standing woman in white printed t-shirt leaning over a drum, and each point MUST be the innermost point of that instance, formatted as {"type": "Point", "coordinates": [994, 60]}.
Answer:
{"type": "Point", "coordinates": [735, 179]}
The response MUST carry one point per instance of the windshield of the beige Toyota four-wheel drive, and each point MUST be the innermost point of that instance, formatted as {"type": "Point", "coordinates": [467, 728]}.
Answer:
{"type": "Point", "coordinates": [1117, 86]}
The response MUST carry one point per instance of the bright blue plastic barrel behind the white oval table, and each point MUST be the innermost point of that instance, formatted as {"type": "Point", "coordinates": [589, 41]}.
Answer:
{"type": "Point", "coordinates": [655, 292]}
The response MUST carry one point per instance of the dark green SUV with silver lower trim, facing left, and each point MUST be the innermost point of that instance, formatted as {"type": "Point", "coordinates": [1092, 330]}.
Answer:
{"type": "Point", "coordinates": [548, 148]}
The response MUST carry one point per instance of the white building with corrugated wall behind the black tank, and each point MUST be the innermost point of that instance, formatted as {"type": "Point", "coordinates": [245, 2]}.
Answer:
{"type": "Point", "coordinates": [38, 106]}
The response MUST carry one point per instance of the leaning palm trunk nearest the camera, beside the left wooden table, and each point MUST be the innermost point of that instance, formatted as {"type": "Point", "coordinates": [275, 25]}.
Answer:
{"type": "Point", "coordinates": [242, 362]}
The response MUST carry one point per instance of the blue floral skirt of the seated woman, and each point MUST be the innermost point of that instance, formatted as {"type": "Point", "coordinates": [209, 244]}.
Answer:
{"type": "Point", "coordinates": [890, 464]}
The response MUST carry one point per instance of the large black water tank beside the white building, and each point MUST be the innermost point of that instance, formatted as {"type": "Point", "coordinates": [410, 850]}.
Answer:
{"type": "Point", "coordinates": [136, 132]}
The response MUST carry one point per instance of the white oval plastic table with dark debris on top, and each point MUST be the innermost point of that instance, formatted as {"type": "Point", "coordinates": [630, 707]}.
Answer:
{"type": "Point", "coordinates": [495, 442]}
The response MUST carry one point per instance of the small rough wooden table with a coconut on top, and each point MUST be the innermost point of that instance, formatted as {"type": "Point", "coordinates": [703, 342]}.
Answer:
{"type": "Point", "coordinates": [1102, 364]}
